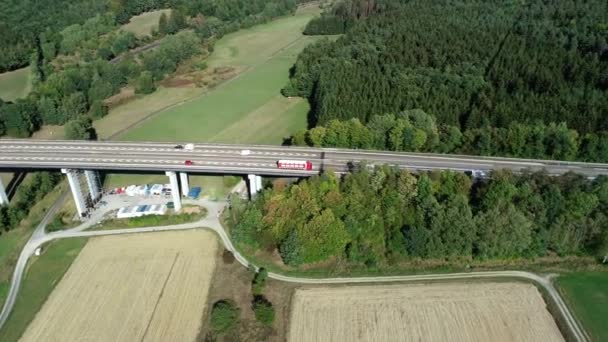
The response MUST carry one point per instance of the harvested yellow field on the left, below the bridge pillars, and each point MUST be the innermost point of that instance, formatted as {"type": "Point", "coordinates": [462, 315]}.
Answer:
{"type": "Point", "coordinates": [140, 287]}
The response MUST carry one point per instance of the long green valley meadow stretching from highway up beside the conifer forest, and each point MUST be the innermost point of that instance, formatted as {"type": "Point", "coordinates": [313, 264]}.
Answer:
{"type": "Point", "coordinates": [252, 100]}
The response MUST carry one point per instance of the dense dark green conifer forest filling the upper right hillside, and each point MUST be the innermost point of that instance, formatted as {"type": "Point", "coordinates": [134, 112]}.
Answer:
{"type": "Point", "coordinates": [470, 64]}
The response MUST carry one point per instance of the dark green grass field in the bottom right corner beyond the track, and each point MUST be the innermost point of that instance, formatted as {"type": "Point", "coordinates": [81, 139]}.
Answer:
{"type": "Point", "coordinates": [587, 294]}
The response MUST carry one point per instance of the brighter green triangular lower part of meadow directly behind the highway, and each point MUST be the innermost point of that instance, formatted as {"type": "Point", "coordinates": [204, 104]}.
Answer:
{"type": "Point", "coordinates": [240, 102]}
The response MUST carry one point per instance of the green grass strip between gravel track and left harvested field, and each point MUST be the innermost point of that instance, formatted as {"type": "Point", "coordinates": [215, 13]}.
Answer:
{"type": "Point", "coordinates": [43, 273]}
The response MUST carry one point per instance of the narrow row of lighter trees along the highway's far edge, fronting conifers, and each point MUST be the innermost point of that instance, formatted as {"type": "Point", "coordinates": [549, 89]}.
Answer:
{"type": "Point", "coordinates": [417, 131]}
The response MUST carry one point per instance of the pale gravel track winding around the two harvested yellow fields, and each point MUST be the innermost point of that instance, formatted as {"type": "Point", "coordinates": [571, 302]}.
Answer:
{"type": "Point", "coordinates": [211, 222]}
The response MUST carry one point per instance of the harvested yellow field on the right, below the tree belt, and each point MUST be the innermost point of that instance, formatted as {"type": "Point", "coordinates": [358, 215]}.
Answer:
{"type": "Point", "coordinates": [437, 312]}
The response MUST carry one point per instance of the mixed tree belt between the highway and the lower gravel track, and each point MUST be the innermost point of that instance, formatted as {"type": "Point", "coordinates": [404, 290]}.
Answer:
{"type": "Point", "coordinates": [381, 215]}
